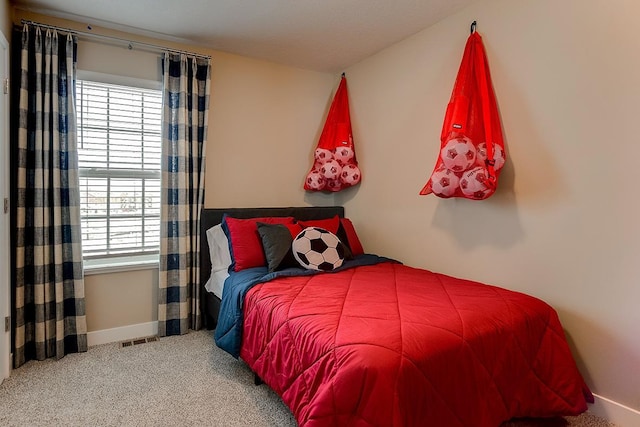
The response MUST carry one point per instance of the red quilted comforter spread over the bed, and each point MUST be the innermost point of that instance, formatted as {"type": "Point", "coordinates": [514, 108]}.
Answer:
{"type": "Point", "coordinates": [390, 345]}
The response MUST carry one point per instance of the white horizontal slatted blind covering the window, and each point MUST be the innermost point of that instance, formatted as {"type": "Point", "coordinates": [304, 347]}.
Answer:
{"type": "Point", "coordinates": [119, 167]}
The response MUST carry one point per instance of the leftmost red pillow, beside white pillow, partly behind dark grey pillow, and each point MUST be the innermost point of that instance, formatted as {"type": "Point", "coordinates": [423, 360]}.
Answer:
{"type": "Point", "coordinates": [244, 241]}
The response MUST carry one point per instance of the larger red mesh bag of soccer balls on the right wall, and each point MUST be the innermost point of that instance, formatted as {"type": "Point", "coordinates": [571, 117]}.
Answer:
{"type": "Point", "coordinates": [472, 149]}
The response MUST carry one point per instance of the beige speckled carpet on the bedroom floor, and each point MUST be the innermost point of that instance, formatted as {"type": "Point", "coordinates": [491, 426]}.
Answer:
{"type": "Point", "coordinates": [176, 381]}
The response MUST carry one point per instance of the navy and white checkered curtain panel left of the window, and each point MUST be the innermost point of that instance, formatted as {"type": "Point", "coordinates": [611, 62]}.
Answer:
{"type": "Point", "coordinates": [49, 287]}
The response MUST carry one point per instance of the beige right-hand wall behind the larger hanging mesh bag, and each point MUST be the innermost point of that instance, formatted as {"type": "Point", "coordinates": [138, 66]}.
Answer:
{"type": "Point", "coordinates": [564, 223]}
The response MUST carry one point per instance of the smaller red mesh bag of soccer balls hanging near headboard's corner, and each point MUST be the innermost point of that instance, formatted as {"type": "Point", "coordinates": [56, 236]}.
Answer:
{"type": "Point", "coordinates": [335, 166]}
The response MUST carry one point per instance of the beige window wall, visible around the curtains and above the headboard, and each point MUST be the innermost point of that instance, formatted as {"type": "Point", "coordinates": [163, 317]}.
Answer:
{"type": "Point", "coordinates": [263, 124]}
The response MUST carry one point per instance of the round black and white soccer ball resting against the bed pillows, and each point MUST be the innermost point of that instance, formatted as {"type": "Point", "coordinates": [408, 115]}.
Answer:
{"type": "Point", "coordinates": [318, 249]}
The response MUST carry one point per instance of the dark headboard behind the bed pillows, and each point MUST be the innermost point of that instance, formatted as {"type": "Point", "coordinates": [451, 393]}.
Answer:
{"type": "Point", "coordinates": [213, 216]}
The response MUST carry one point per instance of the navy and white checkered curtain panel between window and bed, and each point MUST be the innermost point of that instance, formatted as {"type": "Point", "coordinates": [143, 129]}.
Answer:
{"type": "Point", "coordinates": [184, 131]}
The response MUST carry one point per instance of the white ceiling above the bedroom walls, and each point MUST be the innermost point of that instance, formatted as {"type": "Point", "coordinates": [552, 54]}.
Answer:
{"type": "Point", "coordinates": [322, 35]}
